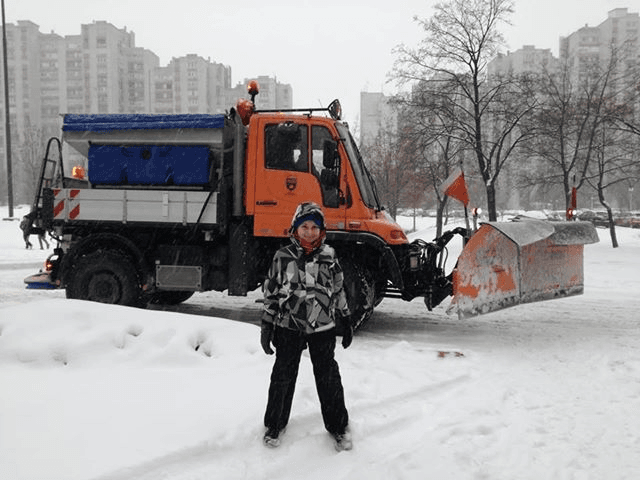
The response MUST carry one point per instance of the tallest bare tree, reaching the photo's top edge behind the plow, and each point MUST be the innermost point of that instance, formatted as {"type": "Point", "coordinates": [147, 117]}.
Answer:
{"type": "Point", "coordinates": [460, 39]}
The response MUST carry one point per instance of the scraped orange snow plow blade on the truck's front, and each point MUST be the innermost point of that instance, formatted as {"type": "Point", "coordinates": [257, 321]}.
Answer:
{"type": "Point", "coordinates": [510, 263]}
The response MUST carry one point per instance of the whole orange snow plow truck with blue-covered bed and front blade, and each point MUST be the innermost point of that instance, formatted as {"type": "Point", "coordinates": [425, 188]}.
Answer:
{"type": "Point", "coordinates": [163, 206]}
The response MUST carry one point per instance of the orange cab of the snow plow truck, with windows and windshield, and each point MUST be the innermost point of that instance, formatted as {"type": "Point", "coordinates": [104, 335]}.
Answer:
{"type": "Point", "coordinates": [295, 158]}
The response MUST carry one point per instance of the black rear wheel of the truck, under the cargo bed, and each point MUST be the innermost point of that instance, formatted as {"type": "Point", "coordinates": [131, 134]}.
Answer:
{"type": "Point", "coordinates": [105, 277]}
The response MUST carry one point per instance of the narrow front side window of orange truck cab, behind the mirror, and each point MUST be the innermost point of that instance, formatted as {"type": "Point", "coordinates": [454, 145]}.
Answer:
{"type": "Point", "coordinates": [326, 164]}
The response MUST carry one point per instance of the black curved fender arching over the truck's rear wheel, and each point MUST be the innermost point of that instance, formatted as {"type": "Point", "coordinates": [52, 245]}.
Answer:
{"type": "Point", "coordinates": [107, 241]}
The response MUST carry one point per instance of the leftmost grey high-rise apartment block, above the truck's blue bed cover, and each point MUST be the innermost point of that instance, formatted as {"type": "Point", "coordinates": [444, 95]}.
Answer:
{"type": "Point", "coordinates": [98, 71]}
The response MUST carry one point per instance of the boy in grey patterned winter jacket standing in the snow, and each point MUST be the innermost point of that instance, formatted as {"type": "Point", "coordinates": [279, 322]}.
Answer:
{"type": "Point", "coordinates": [302, 294]}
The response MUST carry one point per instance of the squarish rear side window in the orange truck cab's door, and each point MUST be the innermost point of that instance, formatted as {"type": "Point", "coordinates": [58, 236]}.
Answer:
{"type": "Point", "coordinates": [286, 147]}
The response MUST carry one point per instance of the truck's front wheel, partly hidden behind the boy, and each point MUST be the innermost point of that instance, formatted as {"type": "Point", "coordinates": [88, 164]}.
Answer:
{"type": "Point", "coordinates": [359, 287]}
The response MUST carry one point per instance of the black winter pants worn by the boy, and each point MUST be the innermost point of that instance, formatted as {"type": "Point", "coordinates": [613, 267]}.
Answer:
{"type": "Point", "coordinates": [289, 347]}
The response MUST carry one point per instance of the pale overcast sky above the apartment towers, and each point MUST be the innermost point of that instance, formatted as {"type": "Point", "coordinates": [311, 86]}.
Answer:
{"type": "Point", "coordinates": [325, 49]}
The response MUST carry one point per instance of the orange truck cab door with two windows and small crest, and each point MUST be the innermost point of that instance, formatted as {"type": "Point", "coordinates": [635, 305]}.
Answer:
{"type": "Point", "coordinates": [299, 163]}
